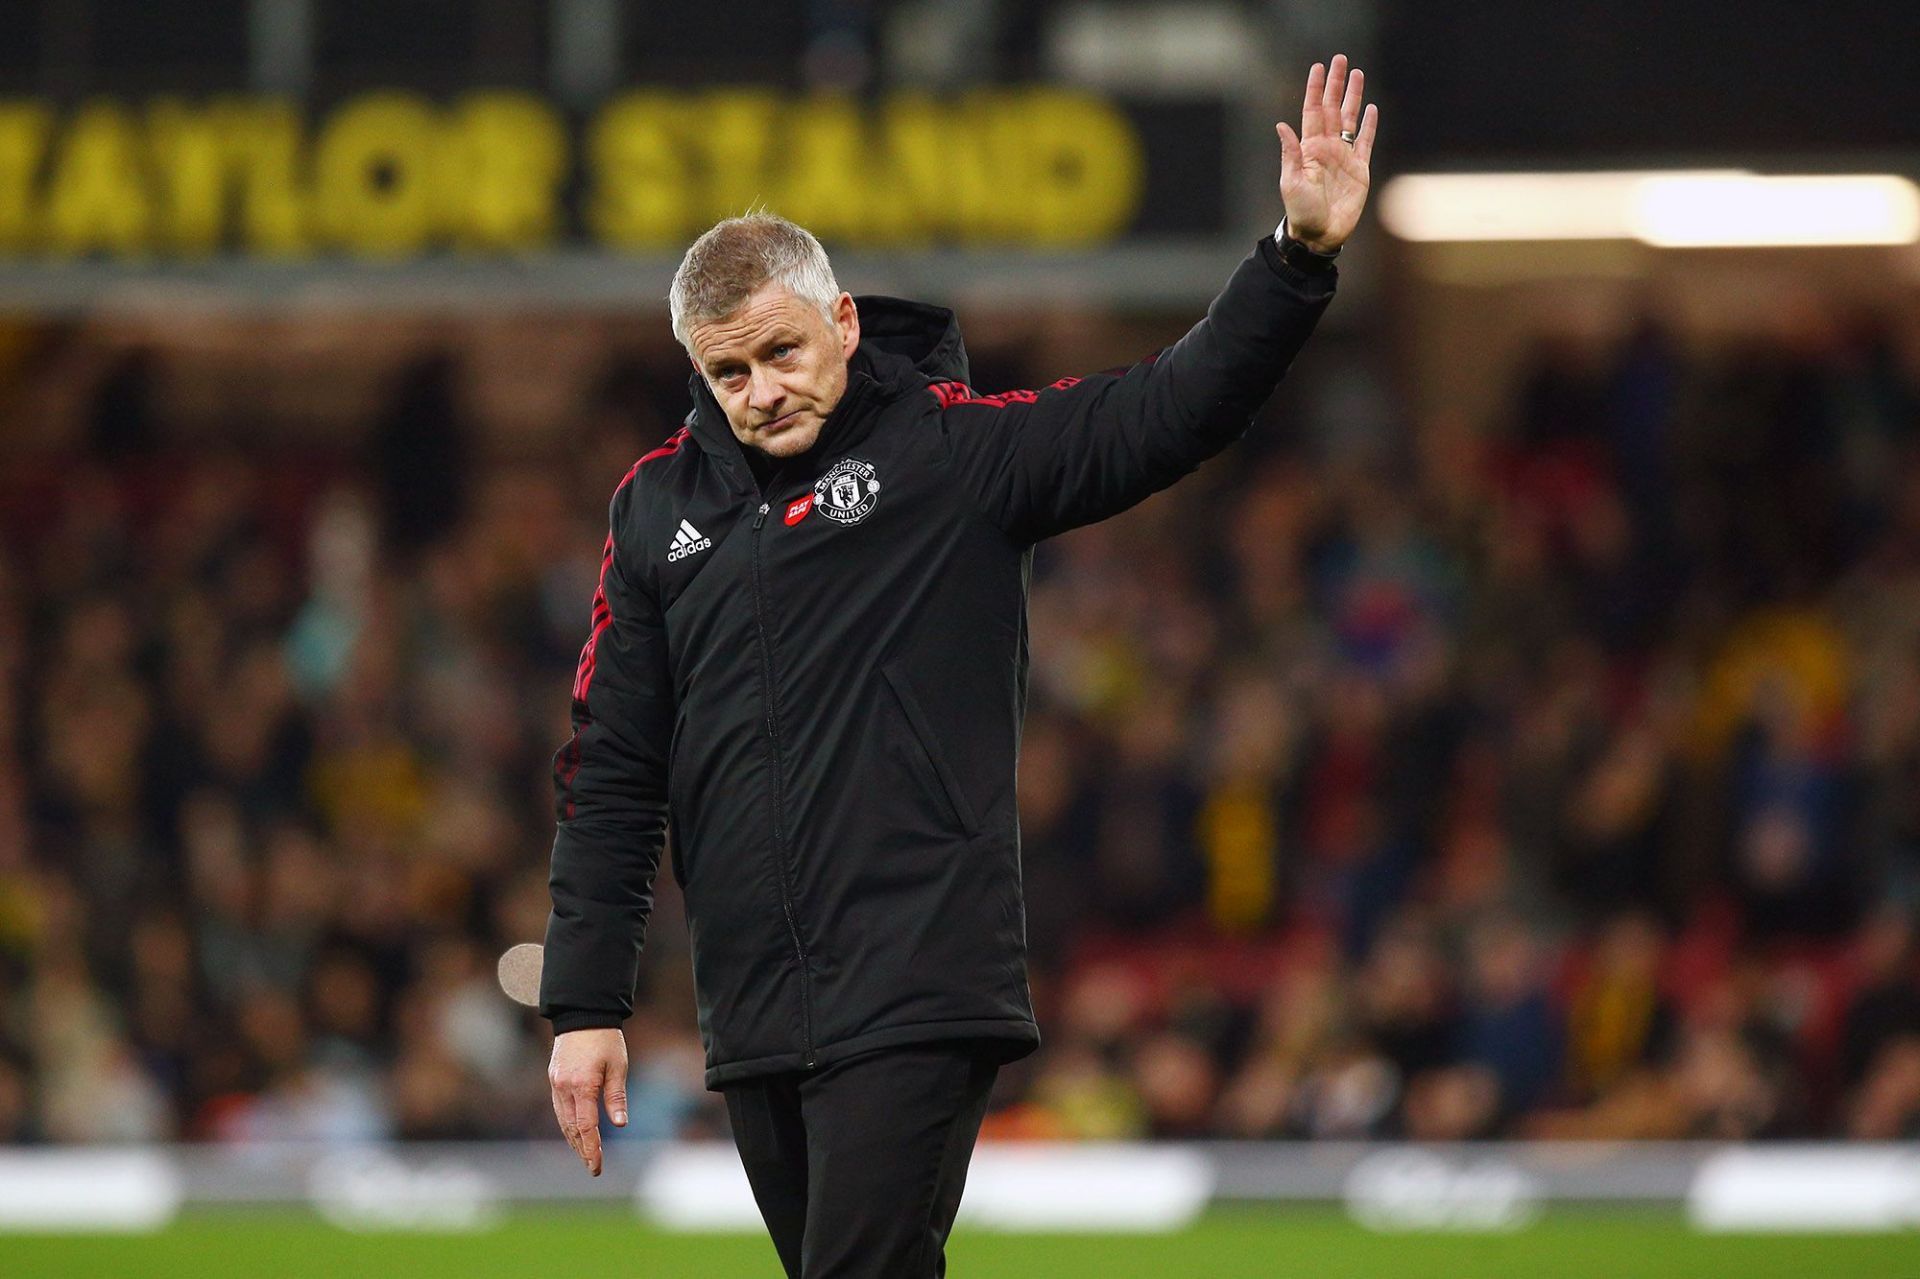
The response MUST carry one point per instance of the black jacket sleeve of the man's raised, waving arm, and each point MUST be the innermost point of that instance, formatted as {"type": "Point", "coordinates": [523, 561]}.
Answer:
{"type": "Point", "coordinates": [1082, 450]}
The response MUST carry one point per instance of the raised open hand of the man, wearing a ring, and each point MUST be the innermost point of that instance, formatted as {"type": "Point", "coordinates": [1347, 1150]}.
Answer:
{"type": "Point", "coordinates": [1324, 178]}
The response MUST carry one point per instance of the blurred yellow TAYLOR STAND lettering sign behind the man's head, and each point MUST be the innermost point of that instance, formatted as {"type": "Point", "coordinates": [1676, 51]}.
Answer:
{"type": "Point", "coordinates": [393, 176]}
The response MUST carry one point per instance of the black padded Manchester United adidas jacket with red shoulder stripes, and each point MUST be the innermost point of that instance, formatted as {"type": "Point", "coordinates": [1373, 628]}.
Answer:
{"type": "Point", "coordinates": [819, 685]}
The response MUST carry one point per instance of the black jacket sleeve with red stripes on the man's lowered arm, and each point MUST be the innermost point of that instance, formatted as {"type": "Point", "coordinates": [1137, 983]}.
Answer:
{"type": "Point", "coordinates": [610, 784]}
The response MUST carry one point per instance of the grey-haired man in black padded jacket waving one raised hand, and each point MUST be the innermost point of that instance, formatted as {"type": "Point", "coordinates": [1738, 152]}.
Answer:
{"type": "Point", "coordinates": [811, 650]}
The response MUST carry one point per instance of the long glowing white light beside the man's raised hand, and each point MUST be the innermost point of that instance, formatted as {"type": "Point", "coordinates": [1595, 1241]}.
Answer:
{"type": "Point", "coordinates": [1675, 208]}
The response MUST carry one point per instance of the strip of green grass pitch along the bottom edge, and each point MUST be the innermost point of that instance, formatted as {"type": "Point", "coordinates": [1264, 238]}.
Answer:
{"type": "Point", "coordinates": [1228, 1245]}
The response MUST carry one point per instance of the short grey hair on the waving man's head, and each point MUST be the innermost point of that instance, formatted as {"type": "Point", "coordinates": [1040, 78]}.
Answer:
{"type": "Point", "coordinates": [736, 258]}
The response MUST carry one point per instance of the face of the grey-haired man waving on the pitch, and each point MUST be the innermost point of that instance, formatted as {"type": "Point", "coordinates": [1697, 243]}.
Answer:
{"type": "Point", "coordinates": [779, 368]}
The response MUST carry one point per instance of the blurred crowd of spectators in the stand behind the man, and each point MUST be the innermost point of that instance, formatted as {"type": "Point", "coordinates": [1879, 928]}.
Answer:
{"type": "Point", "coordinates": [1543, 777]}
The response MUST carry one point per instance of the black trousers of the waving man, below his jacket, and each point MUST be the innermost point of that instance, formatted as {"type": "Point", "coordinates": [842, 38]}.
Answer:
{"type": "Point", "coordinates": [859, 1167]}
